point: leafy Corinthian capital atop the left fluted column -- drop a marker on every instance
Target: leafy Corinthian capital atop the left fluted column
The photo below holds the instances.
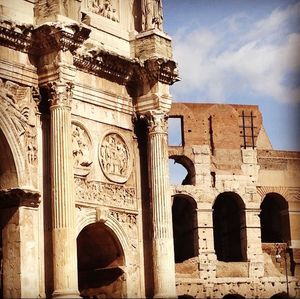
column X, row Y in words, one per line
column 60, row 93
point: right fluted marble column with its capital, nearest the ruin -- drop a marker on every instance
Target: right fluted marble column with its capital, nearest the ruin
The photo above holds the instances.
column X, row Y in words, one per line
column 163, row 247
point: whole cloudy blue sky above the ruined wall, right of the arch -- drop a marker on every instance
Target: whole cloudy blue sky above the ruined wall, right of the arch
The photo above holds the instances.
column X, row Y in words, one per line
column 240, row 52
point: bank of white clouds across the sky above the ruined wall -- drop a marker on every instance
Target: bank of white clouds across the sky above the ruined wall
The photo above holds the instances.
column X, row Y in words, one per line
column 215, row 63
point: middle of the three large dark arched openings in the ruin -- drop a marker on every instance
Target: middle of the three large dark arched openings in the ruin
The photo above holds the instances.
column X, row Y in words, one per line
column 229, row 228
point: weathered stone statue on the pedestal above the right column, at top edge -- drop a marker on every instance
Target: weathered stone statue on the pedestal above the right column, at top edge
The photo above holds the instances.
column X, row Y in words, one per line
column 152, row 14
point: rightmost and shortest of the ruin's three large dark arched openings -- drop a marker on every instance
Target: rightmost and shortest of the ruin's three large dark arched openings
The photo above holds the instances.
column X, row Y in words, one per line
column 274, row 219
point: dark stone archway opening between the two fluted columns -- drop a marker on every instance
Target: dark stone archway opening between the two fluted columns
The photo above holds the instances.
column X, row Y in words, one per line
column 100, row 263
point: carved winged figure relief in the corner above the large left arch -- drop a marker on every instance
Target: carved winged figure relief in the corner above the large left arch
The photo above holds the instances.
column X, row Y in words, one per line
column 19, row 104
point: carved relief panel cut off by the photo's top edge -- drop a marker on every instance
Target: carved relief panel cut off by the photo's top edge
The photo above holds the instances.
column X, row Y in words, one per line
column 109, row 9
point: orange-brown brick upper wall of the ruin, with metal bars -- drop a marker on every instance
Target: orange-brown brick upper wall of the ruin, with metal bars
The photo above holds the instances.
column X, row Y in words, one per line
column 221, row 126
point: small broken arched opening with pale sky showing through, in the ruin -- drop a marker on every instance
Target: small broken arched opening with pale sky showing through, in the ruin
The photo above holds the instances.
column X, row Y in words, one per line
column 182, row 170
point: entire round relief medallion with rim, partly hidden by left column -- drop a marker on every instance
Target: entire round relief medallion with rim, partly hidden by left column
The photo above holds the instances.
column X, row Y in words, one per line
column 81, row 148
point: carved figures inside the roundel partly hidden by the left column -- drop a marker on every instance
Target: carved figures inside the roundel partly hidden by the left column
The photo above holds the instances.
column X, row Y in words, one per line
column 80, row 144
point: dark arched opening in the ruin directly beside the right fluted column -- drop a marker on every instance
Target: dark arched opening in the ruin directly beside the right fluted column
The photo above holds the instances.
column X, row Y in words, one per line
column 185, row 228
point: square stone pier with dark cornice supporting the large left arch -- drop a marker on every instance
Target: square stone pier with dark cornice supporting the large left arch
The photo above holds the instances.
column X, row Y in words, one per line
column 19, row 224
